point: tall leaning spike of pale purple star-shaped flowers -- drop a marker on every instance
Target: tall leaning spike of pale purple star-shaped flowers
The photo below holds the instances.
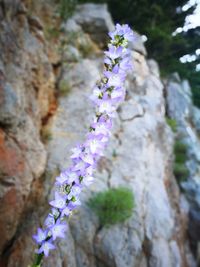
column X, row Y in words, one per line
column 107, row 95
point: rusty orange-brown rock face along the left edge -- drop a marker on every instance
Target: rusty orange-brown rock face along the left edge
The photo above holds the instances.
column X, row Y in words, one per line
column 26, row 90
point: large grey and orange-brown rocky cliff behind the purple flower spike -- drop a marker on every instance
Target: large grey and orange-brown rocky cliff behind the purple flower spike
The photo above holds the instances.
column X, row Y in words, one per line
column 47, row 71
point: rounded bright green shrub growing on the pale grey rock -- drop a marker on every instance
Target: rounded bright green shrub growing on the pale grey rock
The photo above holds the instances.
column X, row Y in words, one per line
column 113, row 206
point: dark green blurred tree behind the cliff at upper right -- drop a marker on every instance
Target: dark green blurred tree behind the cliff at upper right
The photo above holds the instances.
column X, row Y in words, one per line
column 158, row 20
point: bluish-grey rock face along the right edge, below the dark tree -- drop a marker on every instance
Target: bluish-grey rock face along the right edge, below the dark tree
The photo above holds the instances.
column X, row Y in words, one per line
column 180, row 108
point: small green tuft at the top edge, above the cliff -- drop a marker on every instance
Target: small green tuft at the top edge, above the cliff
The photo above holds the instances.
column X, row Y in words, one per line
column 66, row 8
